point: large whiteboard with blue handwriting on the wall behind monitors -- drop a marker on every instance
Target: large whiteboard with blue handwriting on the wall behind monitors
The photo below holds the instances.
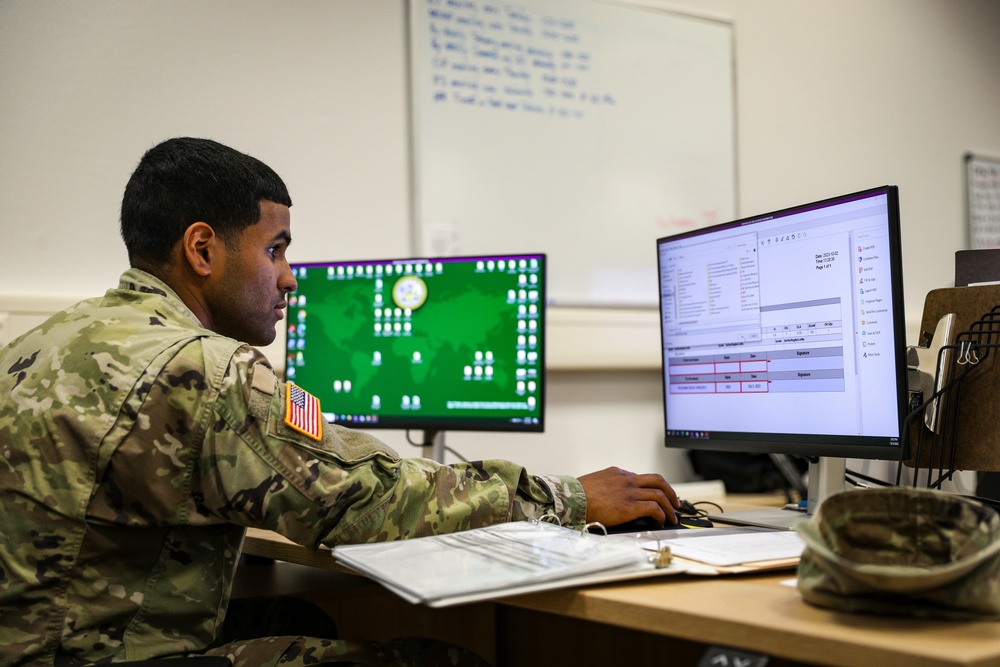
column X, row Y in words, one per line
column 577, row 128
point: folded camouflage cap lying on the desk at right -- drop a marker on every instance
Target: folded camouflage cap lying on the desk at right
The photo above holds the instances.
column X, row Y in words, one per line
column 902, row 551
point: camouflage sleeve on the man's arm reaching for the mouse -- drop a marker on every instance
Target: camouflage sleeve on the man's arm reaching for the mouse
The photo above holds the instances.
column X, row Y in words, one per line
column 338, row 486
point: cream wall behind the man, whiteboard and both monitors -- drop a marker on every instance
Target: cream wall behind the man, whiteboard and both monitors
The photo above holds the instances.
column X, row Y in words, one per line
column 831, row 98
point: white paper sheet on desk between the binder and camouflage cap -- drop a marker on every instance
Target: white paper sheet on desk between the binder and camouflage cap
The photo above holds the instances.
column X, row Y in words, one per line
column 737, row 548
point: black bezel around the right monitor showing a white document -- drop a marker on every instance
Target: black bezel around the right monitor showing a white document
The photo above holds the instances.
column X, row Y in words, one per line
column 804, row 444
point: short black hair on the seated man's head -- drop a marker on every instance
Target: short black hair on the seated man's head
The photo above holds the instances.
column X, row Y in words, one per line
column 186, row 180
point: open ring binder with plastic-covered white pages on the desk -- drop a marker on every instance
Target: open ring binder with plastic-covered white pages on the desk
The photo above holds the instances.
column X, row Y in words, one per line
column 524, row 557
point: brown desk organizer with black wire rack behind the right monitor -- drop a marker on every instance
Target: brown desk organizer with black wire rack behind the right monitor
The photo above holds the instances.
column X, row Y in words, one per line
column 957, row 425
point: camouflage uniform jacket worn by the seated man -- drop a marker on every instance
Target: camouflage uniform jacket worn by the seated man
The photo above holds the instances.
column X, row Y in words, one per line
column 136, row 446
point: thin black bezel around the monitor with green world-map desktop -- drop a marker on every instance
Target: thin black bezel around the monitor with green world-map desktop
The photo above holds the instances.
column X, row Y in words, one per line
column 434, row 424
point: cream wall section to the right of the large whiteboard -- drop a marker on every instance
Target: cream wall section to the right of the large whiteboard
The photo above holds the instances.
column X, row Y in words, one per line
column 839, row 96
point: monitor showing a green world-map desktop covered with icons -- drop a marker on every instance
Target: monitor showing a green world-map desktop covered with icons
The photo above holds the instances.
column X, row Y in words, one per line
column 452, row 343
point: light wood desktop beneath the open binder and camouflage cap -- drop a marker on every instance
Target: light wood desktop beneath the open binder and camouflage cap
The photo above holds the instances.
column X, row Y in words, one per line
column 764, row 621
